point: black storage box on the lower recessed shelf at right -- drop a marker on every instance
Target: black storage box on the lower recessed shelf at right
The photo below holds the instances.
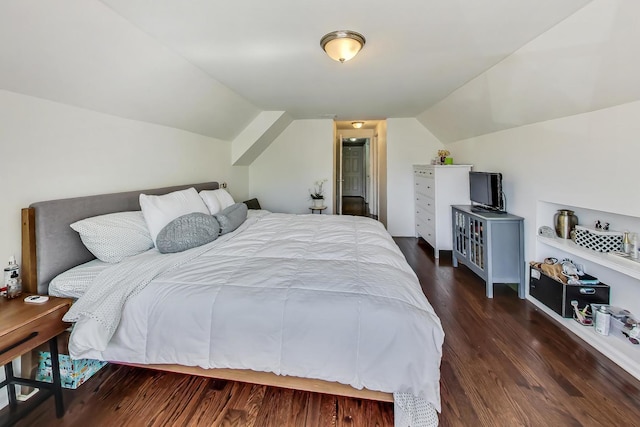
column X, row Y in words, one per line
column 558, row 296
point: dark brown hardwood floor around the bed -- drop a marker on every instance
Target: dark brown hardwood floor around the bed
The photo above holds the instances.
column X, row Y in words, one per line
column 504, row 363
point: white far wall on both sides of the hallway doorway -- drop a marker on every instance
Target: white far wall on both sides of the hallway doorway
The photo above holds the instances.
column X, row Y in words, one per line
column 281, row 177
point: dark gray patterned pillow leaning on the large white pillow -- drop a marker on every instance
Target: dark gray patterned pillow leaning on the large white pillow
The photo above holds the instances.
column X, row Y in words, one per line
column 186, row 232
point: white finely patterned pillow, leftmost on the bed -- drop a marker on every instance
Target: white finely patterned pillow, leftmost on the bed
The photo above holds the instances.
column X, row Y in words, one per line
column 113, row 237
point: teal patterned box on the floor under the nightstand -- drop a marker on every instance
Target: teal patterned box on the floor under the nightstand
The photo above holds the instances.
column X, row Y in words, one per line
column 73, row 373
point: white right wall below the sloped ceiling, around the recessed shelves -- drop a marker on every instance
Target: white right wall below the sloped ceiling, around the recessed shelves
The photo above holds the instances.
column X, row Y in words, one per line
column 589, row 160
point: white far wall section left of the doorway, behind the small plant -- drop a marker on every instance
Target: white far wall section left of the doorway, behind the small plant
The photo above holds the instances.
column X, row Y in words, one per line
column 283, row 174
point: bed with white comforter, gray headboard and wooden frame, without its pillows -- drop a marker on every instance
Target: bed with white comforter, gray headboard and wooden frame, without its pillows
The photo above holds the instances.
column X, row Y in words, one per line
column 313, row 302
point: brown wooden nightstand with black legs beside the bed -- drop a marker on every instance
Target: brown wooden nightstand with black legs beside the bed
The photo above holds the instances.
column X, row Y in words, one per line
column 23, row 327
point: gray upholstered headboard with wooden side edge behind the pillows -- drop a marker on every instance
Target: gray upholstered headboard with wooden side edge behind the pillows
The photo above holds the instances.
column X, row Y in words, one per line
column 50, row 246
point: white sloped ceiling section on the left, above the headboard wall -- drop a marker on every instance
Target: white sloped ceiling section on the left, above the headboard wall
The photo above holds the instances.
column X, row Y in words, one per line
column 86, row 54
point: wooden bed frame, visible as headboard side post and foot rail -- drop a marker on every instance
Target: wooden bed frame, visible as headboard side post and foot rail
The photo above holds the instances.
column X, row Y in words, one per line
column 30, row 285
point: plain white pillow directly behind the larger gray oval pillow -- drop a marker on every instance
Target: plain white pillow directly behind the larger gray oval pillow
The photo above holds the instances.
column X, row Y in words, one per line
column 159, row 211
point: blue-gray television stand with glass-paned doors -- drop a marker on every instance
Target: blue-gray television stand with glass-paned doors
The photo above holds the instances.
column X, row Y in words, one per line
column 491, row 244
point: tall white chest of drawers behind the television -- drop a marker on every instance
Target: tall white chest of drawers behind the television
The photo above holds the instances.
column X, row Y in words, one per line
column 436, row 188
